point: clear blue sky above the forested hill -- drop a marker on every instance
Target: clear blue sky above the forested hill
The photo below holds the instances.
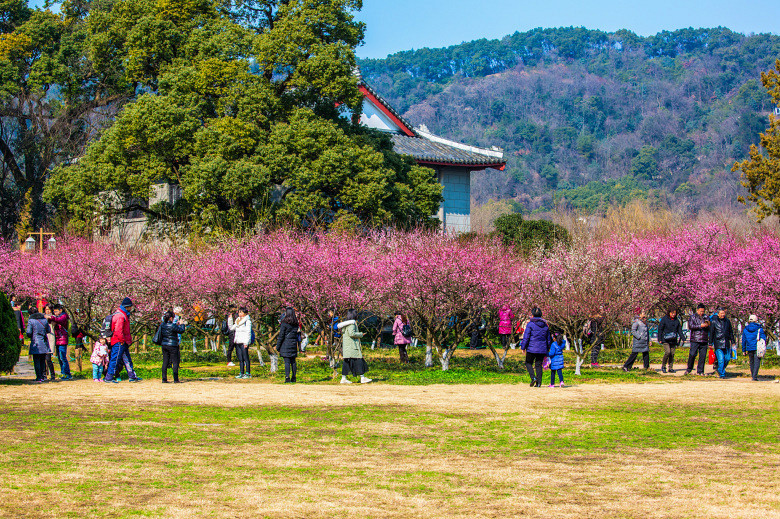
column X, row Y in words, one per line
column 394, row 25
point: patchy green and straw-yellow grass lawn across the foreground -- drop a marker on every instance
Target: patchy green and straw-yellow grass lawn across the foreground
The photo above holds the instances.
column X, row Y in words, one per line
column 225, row 448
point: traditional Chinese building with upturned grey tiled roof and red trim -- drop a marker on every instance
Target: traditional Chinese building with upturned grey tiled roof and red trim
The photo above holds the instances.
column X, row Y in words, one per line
column 452, row 161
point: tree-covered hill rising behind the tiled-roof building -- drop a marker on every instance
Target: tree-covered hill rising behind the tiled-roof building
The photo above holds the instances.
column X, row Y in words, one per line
column 589, row 117
